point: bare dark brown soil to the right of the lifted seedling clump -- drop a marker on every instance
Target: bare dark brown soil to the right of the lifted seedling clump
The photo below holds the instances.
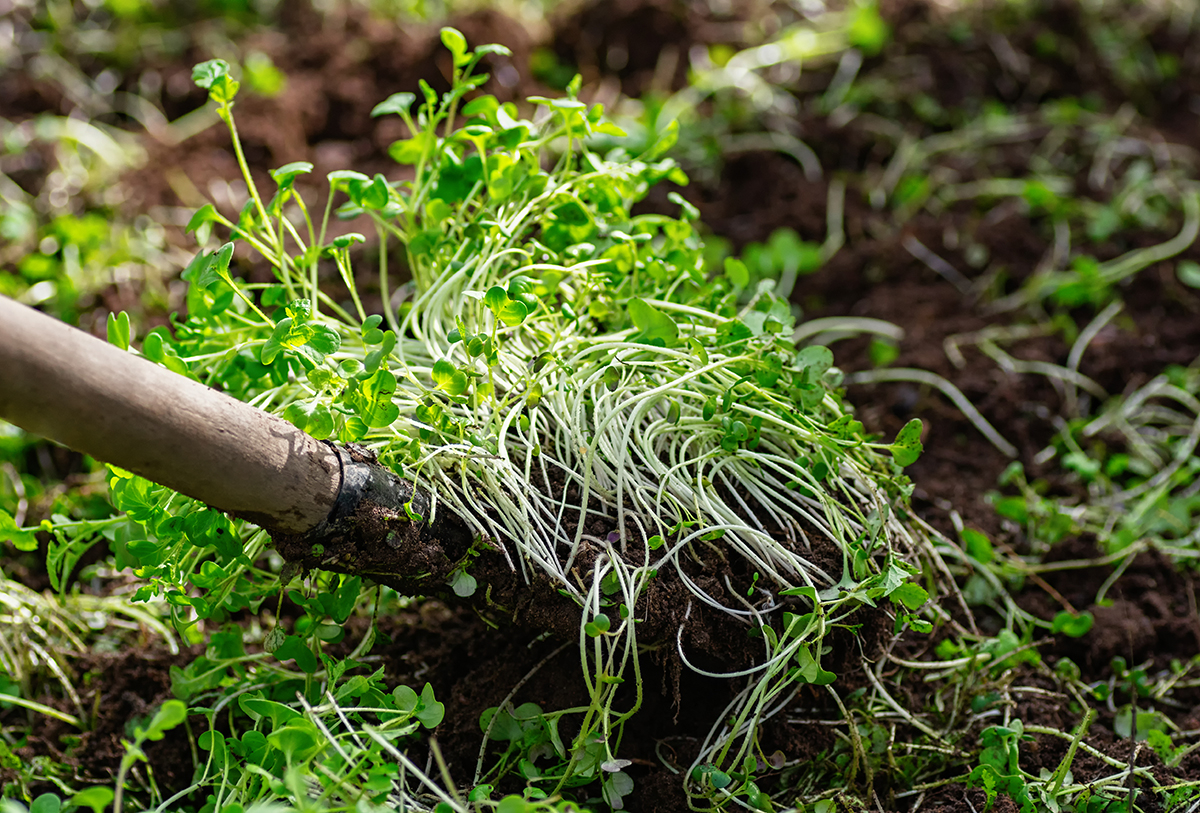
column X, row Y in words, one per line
column 1151, row 613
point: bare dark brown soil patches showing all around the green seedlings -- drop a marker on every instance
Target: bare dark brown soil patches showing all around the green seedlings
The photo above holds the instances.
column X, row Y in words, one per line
column 337, row 74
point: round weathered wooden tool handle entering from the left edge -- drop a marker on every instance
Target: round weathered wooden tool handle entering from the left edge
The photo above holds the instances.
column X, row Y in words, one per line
column 64, row 384
